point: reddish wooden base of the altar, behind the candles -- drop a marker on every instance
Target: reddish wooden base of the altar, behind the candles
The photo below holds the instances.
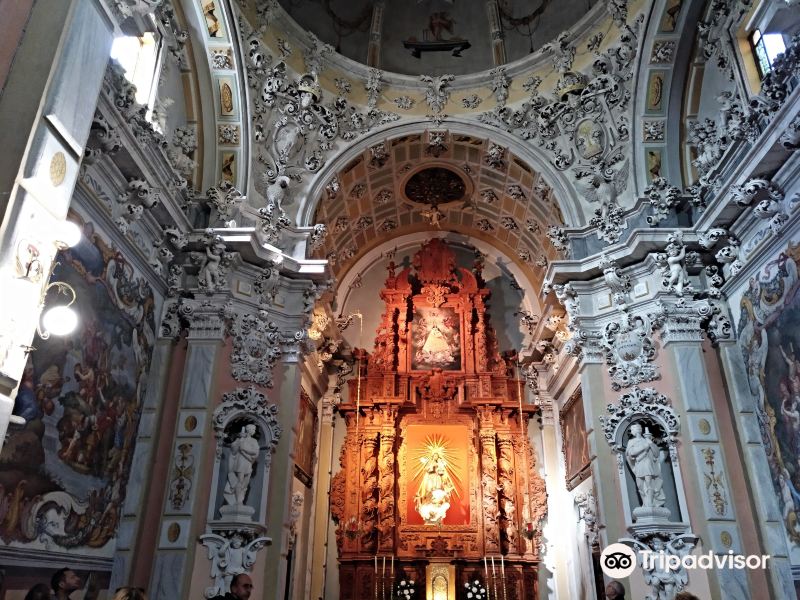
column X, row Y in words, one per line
column 359, row 580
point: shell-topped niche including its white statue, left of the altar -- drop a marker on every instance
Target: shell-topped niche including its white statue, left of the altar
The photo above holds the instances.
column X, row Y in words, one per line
column 247, row 431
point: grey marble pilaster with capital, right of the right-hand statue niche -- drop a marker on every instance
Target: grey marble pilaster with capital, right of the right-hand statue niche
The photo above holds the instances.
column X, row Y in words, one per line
column 707, row 487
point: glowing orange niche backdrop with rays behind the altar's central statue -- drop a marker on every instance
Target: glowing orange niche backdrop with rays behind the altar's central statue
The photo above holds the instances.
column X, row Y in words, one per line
column 457, row 438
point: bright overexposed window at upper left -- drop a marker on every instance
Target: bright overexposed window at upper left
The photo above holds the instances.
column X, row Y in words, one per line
column 139, row 57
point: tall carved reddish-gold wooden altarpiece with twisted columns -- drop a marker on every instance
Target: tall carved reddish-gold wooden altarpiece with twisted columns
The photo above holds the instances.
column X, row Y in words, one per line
column 435, row 465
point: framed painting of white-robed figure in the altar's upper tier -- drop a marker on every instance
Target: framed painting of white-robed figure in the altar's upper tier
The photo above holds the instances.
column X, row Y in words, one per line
column 436, row 339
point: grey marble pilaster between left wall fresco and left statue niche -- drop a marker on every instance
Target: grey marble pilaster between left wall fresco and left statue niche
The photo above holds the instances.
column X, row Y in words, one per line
column 186, row 500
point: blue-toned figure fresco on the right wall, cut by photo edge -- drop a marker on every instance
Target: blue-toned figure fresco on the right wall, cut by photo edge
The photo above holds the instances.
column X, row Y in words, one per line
column 769, row 337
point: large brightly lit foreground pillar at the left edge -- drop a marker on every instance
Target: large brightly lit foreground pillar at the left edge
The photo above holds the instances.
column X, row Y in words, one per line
column 48, row 103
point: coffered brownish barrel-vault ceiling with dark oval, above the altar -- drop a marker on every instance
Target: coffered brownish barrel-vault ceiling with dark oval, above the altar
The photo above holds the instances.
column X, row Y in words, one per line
column 438, row 181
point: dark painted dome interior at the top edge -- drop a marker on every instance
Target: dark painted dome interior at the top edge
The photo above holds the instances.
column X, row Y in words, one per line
column 436, row 36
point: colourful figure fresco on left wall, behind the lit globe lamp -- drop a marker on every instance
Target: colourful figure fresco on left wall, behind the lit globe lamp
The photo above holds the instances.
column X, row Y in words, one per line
column 63, row 476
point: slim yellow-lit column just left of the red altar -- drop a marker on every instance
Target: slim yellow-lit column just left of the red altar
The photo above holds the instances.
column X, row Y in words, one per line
column 319, row 538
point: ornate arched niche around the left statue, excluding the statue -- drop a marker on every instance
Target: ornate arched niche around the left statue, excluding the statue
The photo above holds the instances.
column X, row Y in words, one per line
column 239, row 409
